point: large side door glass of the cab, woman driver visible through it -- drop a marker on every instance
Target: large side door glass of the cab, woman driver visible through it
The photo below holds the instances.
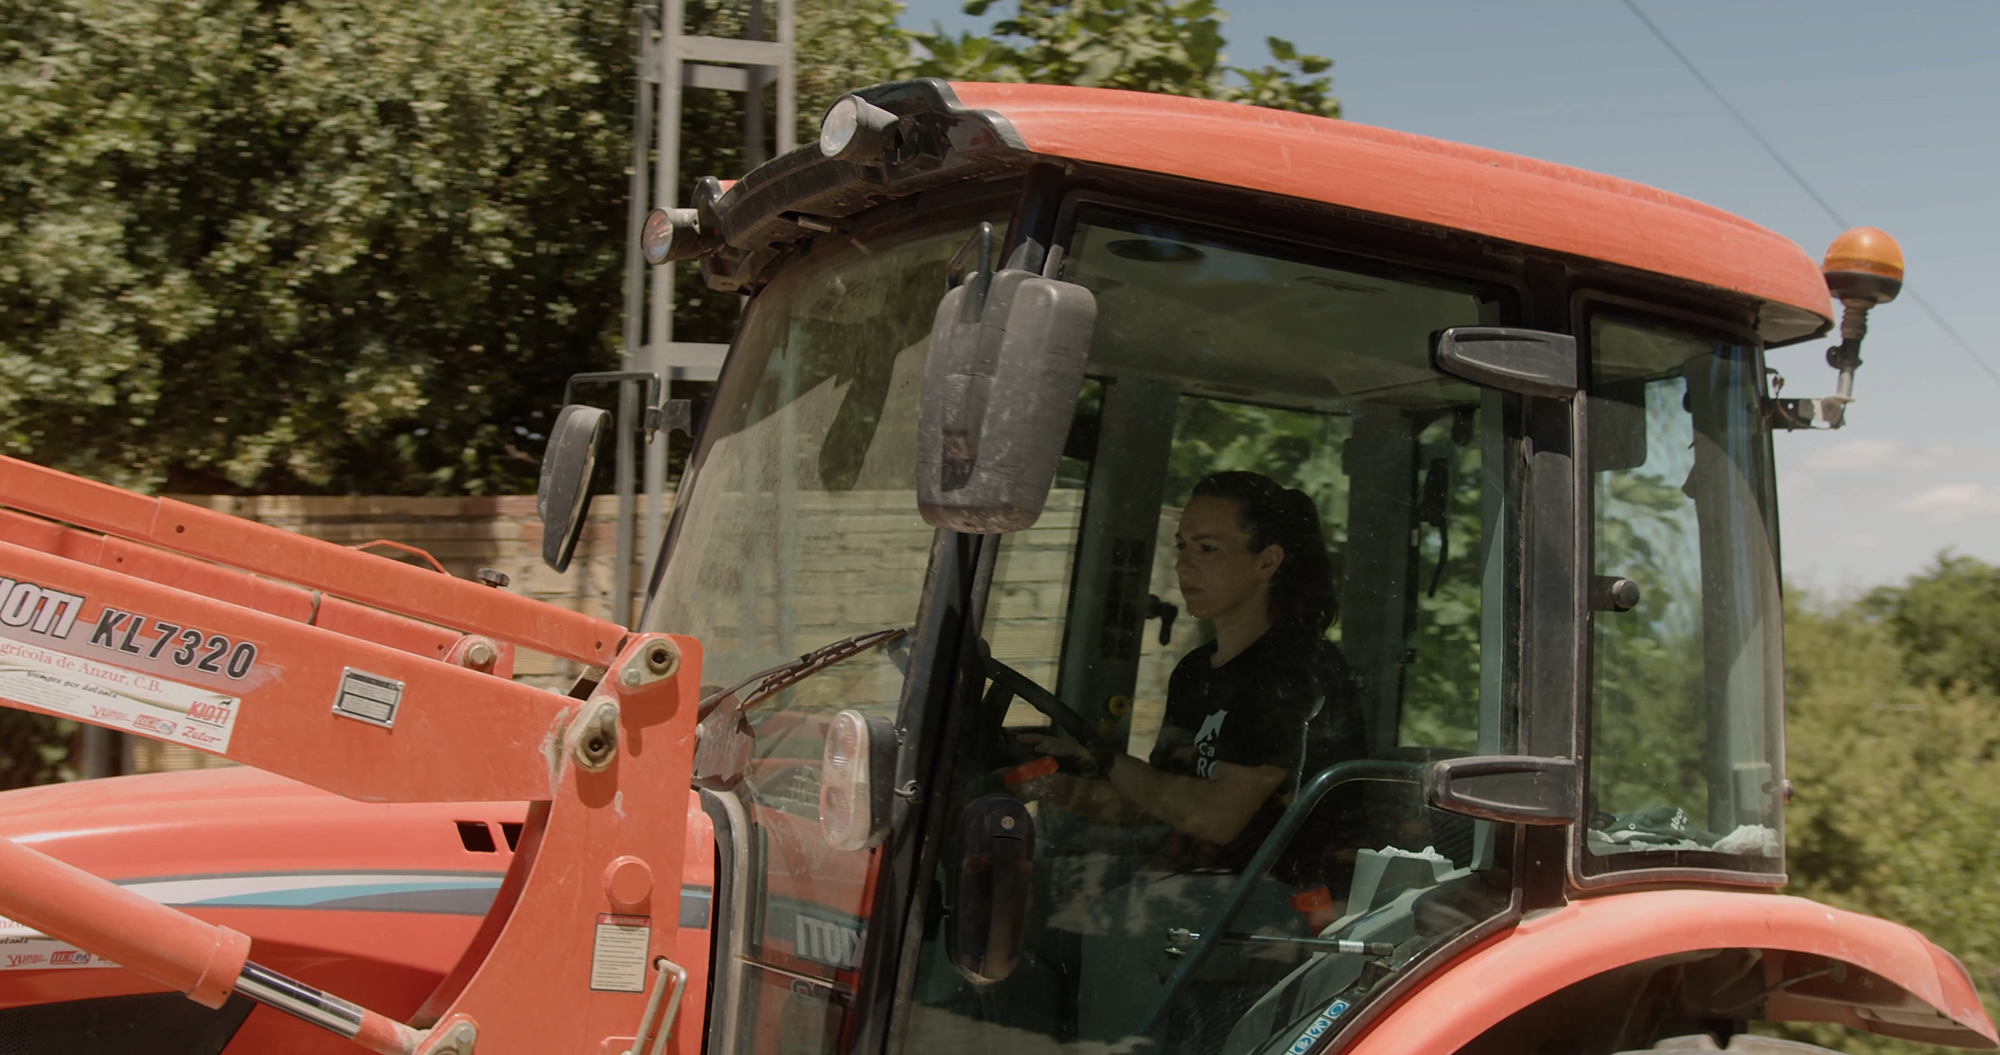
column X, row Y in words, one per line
column 1263, row 586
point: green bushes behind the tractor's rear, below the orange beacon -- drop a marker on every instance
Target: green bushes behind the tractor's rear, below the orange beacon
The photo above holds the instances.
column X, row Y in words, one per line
column 1897, row 784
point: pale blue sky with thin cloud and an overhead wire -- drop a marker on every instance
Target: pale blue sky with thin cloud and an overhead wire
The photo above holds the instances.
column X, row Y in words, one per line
column 1891, row 111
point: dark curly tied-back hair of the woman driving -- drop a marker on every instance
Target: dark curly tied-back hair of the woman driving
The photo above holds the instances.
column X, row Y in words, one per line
column 1303, row 590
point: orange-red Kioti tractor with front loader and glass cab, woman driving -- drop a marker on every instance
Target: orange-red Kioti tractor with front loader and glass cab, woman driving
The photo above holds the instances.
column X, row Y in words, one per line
column 1153, row 576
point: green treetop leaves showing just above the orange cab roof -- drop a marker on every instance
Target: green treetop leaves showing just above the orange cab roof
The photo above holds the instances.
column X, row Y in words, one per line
column 1171, row 47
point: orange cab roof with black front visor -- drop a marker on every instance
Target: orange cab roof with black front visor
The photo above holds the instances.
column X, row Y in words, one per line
column 951, row 133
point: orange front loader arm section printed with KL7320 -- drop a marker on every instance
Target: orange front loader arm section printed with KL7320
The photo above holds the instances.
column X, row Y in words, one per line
column 357, row 718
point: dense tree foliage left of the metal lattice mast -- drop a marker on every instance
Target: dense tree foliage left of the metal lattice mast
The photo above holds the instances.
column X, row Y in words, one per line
column 321, row 245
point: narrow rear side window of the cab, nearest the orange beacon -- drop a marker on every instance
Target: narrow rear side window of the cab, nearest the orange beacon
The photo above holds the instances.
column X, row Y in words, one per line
column 1685, row 704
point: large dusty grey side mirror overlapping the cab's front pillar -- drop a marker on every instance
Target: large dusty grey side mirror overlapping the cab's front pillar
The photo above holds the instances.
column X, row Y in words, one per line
column 1001, row 385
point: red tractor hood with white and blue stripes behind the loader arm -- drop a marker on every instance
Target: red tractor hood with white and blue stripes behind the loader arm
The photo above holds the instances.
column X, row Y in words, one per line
column 369, row 900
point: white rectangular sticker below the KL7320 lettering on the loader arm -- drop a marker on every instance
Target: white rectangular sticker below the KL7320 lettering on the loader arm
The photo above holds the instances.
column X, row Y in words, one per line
column 115, row 696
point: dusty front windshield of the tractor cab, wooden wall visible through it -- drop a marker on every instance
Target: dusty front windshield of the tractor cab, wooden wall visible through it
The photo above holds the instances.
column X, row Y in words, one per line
column 801, row 528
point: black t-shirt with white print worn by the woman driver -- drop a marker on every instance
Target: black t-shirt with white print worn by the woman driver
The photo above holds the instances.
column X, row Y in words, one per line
column 1255, row 710
